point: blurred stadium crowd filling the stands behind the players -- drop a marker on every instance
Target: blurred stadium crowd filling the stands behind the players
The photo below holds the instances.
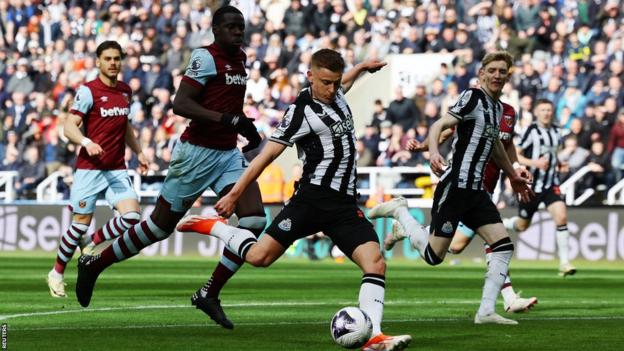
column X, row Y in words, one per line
column 570, row 52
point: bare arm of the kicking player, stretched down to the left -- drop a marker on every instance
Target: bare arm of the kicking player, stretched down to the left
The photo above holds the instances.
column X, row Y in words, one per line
column 226, row 205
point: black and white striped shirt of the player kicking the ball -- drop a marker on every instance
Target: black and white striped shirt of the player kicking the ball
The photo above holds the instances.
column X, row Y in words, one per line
column 325, row 140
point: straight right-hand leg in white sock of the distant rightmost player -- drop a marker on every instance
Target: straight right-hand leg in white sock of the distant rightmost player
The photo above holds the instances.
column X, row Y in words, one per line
column 558, row 211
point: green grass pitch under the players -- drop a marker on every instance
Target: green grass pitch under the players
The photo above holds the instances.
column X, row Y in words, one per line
column 144, row 304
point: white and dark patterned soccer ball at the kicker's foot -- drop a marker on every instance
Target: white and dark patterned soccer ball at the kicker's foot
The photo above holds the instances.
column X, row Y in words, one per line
column 351, row 327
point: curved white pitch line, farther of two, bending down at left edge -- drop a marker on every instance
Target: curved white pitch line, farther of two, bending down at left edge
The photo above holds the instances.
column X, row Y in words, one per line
column 278, row 304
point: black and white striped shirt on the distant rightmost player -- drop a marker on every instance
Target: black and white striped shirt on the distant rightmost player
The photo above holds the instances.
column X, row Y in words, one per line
column 540, row 142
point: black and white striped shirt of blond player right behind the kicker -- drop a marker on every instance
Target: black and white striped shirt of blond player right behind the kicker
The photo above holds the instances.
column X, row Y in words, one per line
column 476, row 134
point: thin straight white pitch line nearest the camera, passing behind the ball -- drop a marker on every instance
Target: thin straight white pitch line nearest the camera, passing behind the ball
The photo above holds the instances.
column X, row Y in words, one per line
column 253, row 324
